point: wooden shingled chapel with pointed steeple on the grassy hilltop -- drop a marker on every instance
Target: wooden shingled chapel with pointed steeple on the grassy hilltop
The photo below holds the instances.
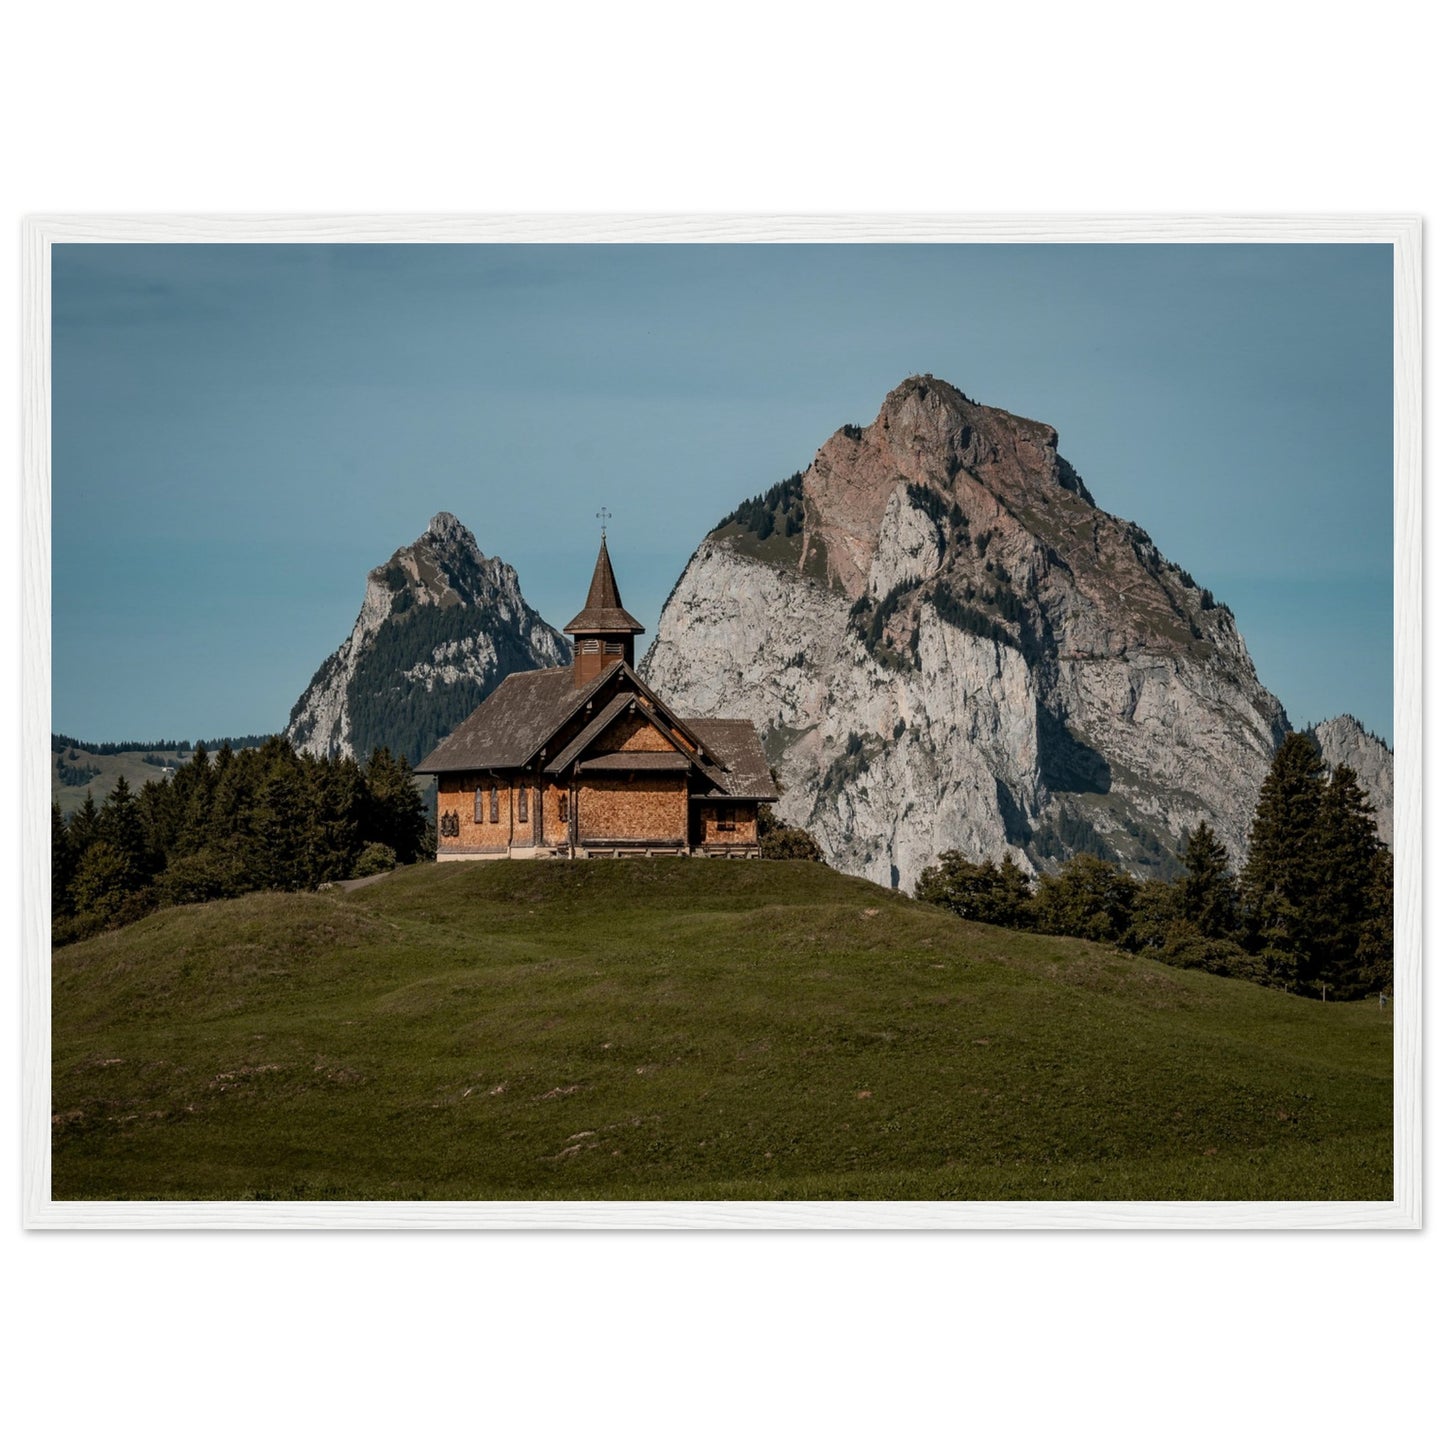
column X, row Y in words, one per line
column 587, row 761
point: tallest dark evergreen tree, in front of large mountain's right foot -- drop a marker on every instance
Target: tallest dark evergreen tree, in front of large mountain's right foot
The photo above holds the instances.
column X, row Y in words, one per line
column 1281, row 879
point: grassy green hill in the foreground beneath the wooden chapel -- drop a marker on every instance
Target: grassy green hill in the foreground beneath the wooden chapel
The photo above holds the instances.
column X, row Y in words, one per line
column 683, row 1030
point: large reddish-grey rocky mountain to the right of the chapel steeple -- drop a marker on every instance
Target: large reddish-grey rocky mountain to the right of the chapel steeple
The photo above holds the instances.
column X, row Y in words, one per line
column 947, row 645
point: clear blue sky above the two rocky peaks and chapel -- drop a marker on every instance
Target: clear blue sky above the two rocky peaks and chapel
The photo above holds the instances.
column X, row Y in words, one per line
column 242, row 431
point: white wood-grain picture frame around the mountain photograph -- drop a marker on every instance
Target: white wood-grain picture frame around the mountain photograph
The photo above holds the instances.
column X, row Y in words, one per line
column 1401, row 232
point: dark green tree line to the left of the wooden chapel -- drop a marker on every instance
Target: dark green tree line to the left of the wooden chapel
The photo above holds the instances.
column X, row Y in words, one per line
column 230, row 824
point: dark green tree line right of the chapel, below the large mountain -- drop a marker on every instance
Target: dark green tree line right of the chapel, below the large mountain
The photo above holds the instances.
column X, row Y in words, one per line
column 1311, row 911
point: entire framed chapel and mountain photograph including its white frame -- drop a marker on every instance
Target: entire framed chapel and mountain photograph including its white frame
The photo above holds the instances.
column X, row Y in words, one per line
column 963, row 795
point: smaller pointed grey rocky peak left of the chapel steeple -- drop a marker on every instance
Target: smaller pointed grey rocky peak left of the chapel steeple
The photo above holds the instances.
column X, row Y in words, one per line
column 440, row 628
